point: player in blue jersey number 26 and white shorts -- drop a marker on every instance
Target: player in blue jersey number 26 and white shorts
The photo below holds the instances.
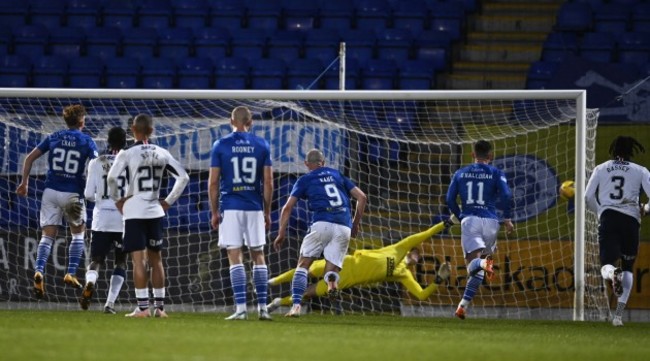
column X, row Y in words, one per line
column 69, row 150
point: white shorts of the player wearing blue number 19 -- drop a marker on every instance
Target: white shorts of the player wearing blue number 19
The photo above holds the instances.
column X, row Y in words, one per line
column 239, row 228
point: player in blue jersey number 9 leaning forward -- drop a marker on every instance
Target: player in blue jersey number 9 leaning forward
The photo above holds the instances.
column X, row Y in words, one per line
column 328, row 194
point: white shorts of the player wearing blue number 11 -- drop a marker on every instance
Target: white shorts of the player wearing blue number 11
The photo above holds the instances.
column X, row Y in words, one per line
column 477, row 233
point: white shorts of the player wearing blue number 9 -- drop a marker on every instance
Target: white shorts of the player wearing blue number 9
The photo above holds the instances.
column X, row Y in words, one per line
column 328, row 239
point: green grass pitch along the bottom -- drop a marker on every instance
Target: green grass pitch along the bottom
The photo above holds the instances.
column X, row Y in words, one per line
column 77, row 335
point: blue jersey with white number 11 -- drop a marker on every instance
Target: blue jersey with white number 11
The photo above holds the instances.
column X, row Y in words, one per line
column 479, row 185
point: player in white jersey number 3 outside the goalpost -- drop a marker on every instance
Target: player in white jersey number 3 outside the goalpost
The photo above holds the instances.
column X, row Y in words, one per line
column 613, row 192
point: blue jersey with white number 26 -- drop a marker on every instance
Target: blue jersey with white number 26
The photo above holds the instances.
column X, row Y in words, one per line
column 69, row 151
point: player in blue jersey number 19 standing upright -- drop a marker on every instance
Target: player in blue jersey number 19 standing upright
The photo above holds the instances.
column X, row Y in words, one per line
column 240, row 187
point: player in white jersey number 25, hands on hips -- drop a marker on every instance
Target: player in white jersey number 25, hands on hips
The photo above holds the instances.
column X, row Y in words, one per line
column 143, row 211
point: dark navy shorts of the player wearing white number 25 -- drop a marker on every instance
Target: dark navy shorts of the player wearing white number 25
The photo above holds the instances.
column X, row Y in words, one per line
column 143, row 233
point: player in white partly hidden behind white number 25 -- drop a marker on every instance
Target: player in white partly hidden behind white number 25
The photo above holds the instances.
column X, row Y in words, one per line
column 107, row 226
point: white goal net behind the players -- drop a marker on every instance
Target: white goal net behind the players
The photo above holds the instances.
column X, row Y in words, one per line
column 401, row 148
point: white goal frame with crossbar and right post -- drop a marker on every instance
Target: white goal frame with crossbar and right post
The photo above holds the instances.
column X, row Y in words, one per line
column 579, row 96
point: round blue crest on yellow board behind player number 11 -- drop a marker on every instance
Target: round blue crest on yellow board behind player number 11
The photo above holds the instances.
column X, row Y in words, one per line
column 533, row 183
